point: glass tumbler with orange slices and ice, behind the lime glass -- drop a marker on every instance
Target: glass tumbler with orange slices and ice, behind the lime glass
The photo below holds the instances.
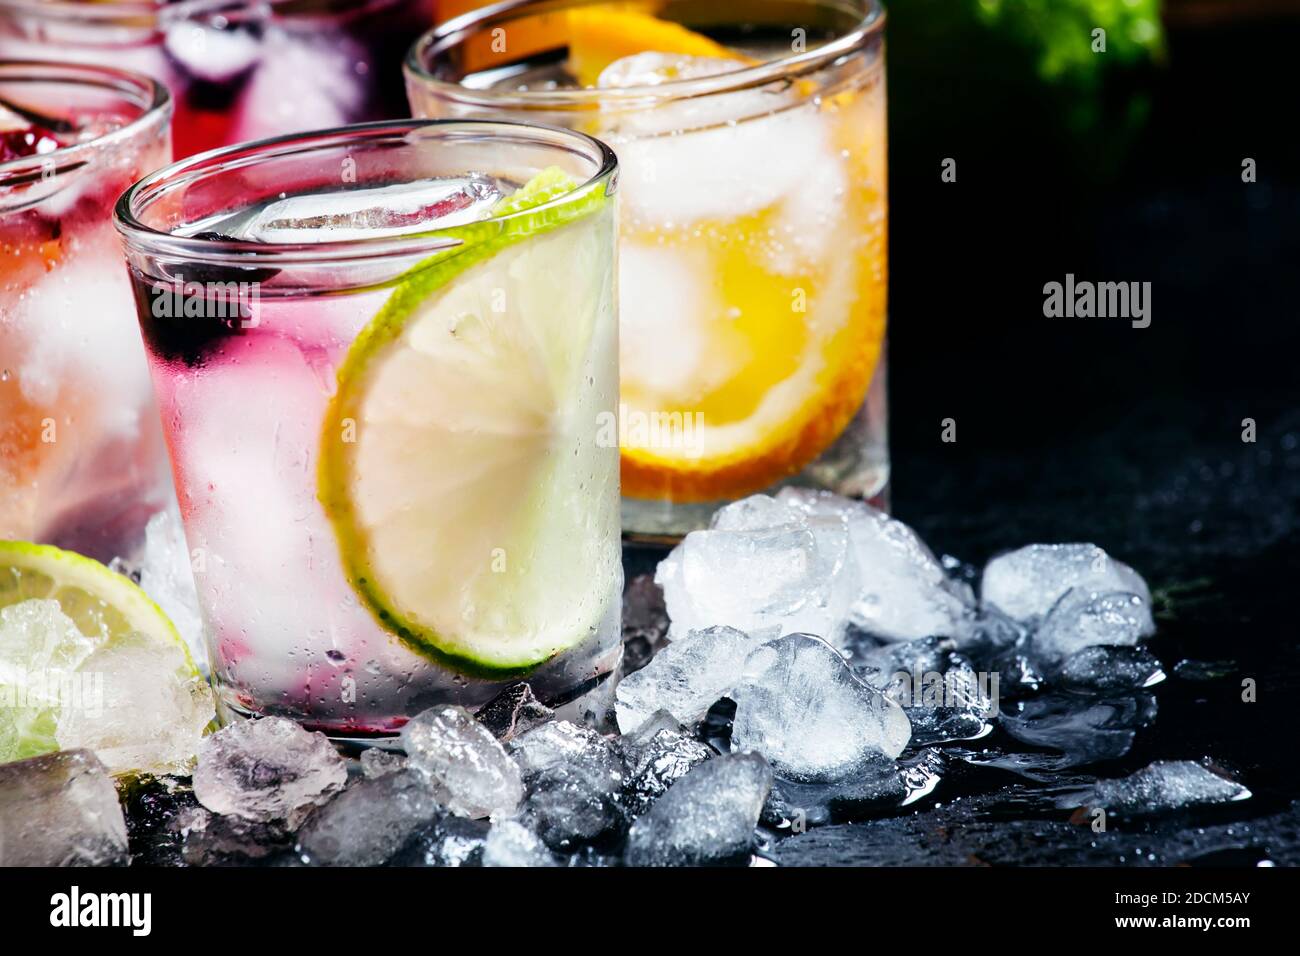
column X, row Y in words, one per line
column 753, row 248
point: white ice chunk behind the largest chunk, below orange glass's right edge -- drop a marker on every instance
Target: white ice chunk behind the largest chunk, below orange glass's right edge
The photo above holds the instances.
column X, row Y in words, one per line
column 904, row 592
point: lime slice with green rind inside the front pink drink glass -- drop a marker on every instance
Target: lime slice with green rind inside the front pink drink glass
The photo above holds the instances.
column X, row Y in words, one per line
column 460, row 461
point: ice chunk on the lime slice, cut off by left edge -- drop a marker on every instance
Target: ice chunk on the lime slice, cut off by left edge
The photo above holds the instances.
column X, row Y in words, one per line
column 40, row 650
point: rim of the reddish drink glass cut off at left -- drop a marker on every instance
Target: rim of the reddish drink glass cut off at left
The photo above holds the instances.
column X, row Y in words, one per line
column 154, row 98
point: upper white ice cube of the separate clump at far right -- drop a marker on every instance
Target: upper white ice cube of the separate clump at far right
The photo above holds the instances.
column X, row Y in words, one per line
column 1026, row 583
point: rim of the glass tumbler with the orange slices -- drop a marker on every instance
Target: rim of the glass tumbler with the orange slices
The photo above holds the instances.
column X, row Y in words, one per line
column 443, row 38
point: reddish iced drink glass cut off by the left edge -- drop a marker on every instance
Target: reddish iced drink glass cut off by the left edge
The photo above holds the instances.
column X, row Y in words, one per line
column 83, row 462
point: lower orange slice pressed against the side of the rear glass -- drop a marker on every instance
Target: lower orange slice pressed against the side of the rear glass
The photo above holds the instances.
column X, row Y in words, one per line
column 761, row 388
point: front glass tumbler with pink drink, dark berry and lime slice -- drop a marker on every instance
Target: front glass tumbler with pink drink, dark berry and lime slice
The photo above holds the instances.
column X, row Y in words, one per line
column 385, row 357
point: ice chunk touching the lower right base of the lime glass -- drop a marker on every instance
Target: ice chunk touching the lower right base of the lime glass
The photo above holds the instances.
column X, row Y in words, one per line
column 686, row 678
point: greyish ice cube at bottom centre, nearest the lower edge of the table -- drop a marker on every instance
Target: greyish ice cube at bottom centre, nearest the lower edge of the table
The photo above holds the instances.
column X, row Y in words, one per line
column 707, row 819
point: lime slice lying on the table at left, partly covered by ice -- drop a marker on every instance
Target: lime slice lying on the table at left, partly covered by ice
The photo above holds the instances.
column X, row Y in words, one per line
column 59, row 611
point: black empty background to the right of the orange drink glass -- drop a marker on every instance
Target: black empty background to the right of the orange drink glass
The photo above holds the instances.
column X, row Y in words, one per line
column 1090, row 430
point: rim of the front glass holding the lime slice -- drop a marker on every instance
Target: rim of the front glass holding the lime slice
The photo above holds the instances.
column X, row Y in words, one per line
column 141, row 237
